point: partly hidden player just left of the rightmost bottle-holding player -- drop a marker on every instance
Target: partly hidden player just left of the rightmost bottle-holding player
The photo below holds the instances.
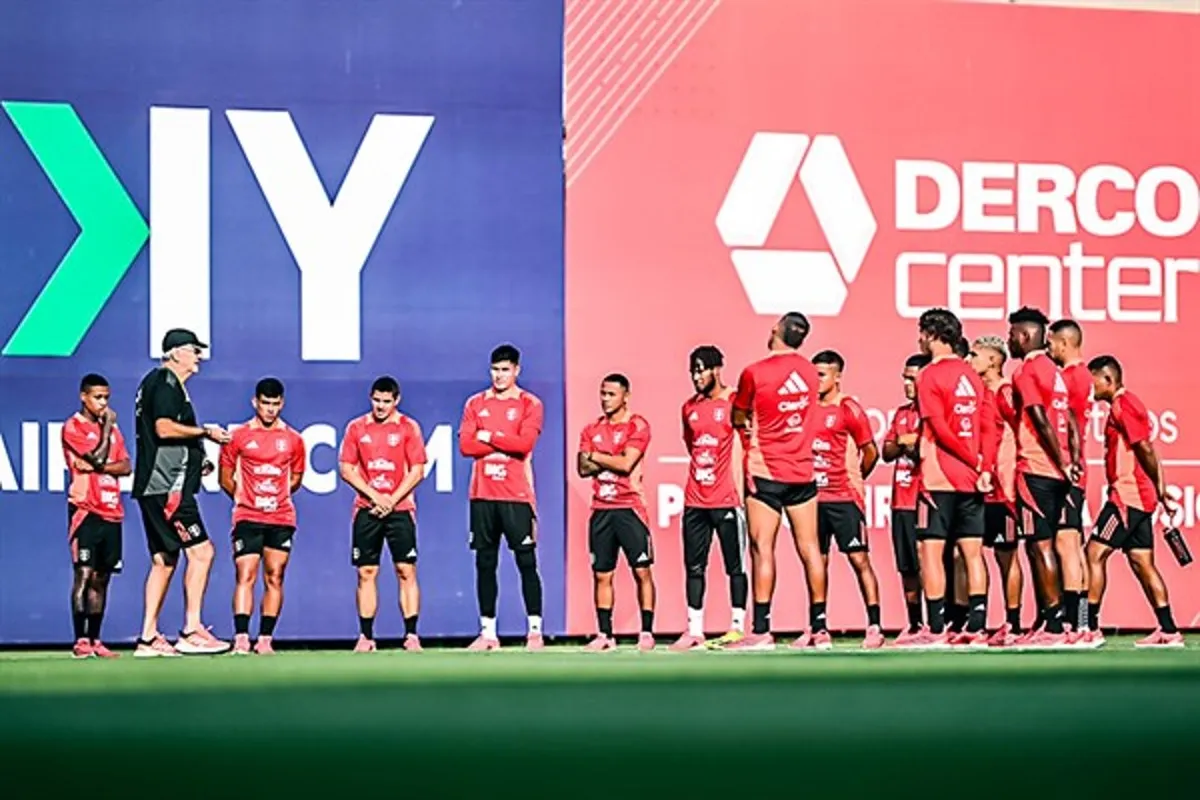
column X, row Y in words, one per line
column 1066, row 348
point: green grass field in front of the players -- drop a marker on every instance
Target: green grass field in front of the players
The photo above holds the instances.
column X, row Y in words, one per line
column 563, row 724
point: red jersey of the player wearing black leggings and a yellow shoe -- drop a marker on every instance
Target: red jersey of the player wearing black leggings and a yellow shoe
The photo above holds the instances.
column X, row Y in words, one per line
column 709, row 436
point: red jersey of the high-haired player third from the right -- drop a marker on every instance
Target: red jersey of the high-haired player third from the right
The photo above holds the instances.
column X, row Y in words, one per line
column 1039, row 382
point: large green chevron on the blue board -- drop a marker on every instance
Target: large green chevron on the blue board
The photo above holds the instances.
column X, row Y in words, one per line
column 112, row 231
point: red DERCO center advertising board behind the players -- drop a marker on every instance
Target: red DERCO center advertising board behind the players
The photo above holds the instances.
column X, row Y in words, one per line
column 861, row 163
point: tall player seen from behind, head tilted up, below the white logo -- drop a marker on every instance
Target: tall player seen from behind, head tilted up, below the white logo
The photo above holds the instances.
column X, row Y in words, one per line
column 776, row 404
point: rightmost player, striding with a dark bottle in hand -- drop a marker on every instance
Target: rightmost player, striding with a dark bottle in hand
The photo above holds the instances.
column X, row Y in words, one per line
column 1137, row 489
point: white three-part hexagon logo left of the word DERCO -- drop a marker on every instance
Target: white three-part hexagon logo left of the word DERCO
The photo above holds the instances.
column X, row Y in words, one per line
column 779, row 281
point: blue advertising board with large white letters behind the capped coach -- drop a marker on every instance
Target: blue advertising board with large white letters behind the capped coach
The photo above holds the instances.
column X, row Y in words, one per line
column 326, row 193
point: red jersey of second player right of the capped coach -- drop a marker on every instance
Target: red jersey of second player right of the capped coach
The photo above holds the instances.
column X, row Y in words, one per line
column 383, row 454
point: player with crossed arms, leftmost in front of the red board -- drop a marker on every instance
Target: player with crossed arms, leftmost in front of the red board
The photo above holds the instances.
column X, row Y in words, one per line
column 611, row 453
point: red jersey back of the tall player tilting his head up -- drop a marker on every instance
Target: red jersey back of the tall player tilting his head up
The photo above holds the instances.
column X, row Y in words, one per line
column 779, row 393
